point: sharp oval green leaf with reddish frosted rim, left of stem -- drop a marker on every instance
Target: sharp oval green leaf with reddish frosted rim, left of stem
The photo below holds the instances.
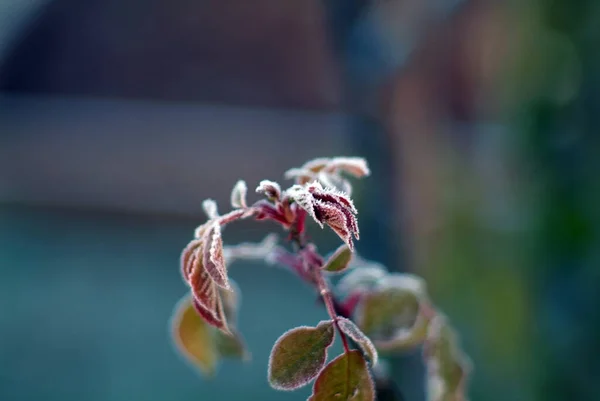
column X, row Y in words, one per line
column 299, row 355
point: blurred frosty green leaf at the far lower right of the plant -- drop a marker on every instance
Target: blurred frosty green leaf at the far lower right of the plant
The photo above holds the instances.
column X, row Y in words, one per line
column 447, row 366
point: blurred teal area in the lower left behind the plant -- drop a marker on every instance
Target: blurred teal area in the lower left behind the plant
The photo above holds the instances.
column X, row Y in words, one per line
column 86, row 300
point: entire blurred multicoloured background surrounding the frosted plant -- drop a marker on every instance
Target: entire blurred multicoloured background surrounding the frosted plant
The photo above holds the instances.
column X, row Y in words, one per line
column 479, row 118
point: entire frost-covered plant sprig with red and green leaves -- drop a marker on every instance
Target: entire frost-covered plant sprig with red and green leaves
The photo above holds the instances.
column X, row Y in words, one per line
column 373, row 311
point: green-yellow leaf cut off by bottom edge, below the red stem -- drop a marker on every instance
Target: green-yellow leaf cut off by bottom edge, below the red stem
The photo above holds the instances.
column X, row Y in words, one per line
column 346, row 378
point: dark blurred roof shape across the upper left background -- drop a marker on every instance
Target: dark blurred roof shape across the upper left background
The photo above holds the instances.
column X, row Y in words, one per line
column 259, row 52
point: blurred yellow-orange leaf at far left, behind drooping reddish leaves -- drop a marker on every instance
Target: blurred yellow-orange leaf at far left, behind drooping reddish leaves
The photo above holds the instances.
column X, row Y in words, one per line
column 193, row 337
